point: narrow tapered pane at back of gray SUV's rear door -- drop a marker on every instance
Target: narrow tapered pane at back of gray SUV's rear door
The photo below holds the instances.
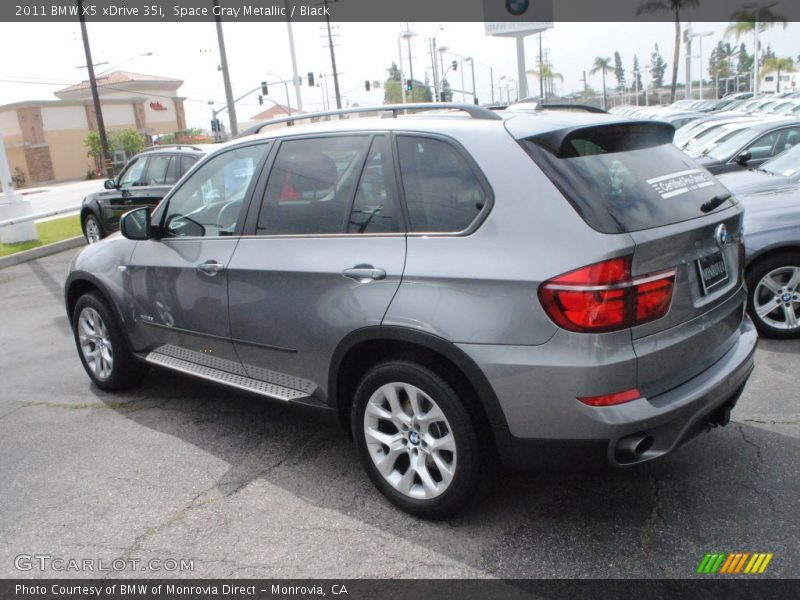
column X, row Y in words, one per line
column 375, row 208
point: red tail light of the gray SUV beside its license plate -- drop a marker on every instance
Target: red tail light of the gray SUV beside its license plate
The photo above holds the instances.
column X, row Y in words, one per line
column 605, row 297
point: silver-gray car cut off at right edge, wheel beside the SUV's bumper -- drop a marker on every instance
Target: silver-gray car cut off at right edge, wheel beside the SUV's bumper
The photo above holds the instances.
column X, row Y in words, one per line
column 772, row 240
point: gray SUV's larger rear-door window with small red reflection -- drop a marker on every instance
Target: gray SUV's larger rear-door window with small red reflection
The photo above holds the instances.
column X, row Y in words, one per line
column 311, row 185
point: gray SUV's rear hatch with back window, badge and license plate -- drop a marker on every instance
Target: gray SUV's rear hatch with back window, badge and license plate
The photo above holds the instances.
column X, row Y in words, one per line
column 628, row 178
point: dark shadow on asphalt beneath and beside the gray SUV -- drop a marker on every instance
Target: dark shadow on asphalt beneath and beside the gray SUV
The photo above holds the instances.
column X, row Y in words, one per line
column 734, row 489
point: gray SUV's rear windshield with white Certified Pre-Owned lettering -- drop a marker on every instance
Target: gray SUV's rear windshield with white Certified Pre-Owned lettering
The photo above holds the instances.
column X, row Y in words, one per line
column 616, row 189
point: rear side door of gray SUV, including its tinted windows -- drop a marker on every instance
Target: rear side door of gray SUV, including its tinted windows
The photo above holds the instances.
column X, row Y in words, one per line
column 323, row 256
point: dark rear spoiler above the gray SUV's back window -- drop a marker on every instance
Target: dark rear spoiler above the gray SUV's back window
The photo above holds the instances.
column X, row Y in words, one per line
column 612, row 137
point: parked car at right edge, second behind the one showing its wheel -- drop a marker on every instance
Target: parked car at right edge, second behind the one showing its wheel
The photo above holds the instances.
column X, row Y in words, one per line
column 752, row 146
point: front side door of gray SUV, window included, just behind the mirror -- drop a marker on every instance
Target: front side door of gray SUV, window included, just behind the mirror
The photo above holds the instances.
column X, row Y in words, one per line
column 178, row 279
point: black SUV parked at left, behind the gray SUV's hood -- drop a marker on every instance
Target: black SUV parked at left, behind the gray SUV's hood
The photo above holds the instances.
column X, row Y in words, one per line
column 144, row 181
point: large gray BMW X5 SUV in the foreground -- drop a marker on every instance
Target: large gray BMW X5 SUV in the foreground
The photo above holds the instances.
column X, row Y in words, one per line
column 456, row 286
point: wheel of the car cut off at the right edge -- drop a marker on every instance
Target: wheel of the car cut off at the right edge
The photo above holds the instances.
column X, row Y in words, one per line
column 775, row 283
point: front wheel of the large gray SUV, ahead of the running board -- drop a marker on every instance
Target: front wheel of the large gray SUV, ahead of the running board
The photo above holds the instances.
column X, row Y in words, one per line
column 102, row 347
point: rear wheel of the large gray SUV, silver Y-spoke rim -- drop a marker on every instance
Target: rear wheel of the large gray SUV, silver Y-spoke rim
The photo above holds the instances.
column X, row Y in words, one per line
column 413, row 473
